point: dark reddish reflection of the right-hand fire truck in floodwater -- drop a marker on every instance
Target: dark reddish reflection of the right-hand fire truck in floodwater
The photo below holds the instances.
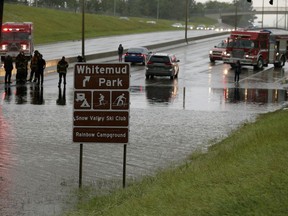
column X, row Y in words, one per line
column 259, row 96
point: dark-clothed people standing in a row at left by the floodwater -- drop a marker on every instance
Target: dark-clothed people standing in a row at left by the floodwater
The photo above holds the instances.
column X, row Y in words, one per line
column 37, row 67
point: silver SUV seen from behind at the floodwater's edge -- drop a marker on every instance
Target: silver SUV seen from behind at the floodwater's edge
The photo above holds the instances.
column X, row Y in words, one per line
column 162, row 64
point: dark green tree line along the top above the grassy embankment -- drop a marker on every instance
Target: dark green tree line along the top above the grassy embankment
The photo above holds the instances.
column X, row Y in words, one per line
column 162, row 9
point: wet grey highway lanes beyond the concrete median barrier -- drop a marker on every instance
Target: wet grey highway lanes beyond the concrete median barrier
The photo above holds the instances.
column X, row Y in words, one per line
column 71, row 49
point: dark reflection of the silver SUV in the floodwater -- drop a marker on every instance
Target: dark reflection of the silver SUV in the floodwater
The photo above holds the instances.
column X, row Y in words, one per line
column 161, row 90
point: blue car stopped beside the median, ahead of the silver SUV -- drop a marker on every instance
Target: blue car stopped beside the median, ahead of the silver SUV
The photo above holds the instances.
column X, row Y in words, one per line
column 137, row 55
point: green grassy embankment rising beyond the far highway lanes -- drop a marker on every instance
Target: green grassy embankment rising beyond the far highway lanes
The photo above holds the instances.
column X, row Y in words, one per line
column 55, row 25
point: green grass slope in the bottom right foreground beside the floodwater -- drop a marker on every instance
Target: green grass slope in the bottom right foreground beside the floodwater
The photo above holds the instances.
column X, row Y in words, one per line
column 245, row 174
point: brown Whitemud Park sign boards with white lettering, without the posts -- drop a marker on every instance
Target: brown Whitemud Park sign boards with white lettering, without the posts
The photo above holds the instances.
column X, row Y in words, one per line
column 101, row 103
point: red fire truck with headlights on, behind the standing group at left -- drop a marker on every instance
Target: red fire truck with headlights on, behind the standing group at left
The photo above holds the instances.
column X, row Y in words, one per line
column 16, row 37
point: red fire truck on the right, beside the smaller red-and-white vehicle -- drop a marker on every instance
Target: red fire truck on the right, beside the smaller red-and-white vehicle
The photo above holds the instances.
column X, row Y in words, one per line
column 257, row 48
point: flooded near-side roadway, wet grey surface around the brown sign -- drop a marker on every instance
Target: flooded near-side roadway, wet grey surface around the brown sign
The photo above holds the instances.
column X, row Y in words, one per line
column 39, row 162
